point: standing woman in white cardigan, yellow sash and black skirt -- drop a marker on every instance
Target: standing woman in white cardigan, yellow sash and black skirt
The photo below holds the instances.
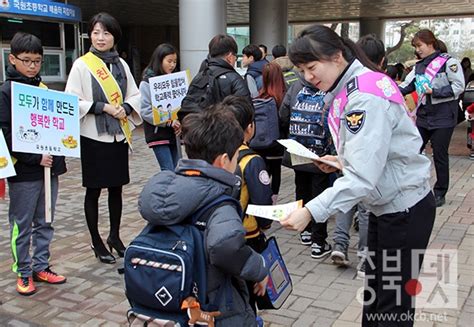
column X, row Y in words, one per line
column 104, row 148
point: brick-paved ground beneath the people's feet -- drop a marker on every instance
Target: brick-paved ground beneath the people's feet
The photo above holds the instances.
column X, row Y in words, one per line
column 323, row 295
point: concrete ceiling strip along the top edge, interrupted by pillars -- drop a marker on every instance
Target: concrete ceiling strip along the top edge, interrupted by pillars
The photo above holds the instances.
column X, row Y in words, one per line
column 165, row 12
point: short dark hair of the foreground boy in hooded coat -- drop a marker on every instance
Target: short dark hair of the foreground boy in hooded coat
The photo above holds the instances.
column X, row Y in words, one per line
column 210, row 133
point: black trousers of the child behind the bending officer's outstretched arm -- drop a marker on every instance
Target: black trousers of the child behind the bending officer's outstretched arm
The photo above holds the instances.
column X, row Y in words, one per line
column 308, row 186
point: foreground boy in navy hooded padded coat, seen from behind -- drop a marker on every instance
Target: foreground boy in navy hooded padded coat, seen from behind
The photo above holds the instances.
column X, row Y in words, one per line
column 212, row 140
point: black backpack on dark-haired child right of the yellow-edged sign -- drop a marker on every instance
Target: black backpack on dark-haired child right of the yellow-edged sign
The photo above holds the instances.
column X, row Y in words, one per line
column 203, row 91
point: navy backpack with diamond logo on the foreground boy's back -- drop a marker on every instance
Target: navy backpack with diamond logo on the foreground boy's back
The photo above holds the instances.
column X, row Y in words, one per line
column 164, row 265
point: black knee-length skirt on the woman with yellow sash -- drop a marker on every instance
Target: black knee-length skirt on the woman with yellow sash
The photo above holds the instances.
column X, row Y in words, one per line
column 104, row 164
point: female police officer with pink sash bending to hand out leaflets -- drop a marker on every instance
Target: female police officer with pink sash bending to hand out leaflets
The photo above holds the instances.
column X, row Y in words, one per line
column 377, row 145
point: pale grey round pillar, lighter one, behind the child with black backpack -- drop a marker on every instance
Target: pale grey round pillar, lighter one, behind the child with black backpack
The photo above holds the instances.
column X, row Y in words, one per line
column 199, row 21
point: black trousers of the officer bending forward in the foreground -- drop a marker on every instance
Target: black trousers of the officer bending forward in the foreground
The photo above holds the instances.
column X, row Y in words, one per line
column 392, row 237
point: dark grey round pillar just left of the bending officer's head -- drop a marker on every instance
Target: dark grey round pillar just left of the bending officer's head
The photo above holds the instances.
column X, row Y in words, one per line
column 269, row 22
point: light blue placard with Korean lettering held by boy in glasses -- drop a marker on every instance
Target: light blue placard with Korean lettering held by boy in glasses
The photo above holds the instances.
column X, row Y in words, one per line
column 45, row 121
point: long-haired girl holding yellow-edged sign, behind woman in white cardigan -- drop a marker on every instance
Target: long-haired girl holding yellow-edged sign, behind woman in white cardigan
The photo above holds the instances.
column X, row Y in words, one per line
column 160, row 138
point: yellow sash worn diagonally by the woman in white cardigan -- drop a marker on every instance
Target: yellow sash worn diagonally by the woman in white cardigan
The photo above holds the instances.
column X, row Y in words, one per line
column 110, row 87
